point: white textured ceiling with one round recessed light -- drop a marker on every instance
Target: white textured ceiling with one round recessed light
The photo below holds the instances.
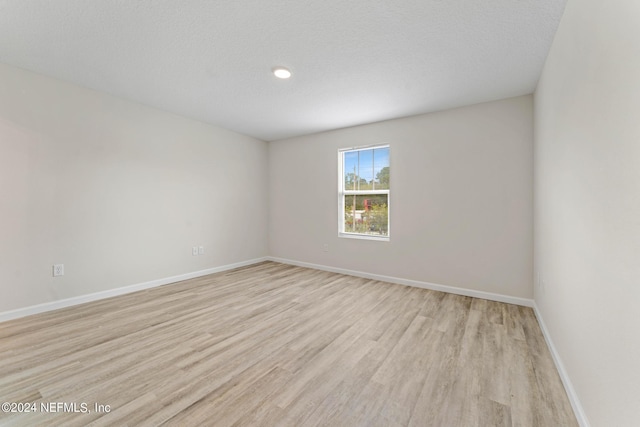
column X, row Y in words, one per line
column 353, row 61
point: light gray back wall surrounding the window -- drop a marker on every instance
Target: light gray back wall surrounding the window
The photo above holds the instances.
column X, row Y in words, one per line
column 461, row 198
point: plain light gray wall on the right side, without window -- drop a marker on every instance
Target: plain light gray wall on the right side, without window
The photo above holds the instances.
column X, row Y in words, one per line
column 587, row 205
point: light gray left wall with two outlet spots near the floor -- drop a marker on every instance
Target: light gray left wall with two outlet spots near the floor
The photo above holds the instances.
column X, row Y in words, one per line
column 117, row 192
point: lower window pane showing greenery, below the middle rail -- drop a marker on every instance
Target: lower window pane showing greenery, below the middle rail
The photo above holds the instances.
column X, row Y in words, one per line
column 367, row 214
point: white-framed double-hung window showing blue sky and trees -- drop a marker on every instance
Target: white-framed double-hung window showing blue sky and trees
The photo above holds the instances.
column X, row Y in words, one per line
column 363, row 192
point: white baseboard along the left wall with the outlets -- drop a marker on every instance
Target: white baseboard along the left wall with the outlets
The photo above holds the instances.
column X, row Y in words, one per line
column 81, row 299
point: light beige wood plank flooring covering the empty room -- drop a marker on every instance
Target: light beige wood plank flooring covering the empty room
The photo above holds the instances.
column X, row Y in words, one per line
column 278, row 345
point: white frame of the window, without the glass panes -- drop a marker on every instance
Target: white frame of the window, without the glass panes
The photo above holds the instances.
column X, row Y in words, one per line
column 342, row 192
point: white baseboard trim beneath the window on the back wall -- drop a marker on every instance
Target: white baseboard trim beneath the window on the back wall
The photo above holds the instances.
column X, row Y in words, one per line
column 414, row 283
